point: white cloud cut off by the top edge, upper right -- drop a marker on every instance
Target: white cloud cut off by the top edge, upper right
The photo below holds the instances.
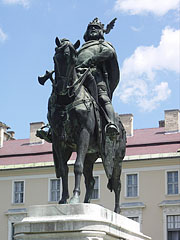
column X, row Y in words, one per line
column 157, row 7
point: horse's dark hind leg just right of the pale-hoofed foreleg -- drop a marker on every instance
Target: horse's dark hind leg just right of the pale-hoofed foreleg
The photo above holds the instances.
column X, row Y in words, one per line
column 88, row 175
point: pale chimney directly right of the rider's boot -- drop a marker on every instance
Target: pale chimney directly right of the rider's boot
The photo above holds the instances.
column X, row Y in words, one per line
column 127, row 121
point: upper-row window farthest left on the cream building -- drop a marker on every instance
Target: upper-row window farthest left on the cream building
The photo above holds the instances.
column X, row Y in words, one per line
column 18, row 192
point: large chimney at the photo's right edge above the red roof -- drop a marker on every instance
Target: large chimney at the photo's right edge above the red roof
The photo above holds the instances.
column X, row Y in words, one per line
column 172, row 123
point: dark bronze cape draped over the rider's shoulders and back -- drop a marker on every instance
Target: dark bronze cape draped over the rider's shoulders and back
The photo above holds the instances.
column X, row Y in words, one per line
column 111, row 65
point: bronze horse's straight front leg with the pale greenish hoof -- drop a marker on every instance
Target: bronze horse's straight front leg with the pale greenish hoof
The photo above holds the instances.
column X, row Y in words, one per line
column 82, row 148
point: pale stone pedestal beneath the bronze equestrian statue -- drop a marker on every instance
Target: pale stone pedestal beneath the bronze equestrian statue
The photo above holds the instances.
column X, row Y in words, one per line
column 76, row 222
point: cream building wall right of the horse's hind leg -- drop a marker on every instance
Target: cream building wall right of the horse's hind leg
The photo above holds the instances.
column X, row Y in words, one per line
column 152, row 191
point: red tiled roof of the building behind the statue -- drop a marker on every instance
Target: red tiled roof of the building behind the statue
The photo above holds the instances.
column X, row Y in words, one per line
column 144, row 141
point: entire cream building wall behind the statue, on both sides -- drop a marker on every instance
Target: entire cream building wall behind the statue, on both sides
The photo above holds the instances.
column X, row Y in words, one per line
column 151, row 190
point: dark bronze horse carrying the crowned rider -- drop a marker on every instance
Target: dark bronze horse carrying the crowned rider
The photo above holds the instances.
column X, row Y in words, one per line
column 72, row 115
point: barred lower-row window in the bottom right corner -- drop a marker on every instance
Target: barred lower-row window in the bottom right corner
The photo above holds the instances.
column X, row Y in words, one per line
column 173, row 227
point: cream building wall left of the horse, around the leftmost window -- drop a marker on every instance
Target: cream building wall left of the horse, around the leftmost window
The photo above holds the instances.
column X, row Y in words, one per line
column 36, row 192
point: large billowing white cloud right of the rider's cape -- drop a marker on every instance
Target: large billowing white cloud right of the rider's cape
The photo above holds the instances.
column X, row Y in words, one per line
column 139, row 71
